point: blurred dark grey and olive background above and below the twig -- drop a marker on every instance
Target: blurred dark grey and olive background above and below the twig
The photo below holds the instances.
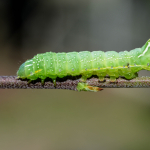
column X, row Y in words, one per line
column 60, row 119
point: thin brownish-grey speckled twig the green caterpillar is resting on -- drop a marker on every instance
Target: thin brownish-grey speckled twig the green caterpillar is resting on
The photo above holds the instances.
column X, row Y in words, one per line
column 11, row 82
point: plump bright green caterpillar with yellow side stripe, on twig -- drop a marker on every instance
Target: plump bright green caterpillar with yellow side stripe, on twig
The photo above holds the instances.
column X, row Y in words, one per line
column 87, row 63
